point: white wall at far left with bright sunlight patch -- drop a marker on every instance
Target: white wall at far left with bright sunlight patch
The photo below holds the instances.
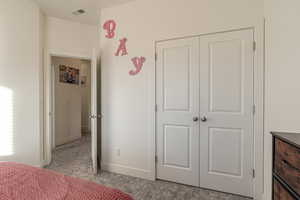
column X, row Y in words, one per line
column 20, row 68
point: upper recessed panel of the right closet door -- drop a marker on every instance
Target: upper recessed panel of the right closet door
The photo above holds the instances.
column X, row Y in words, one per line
column 226, row 76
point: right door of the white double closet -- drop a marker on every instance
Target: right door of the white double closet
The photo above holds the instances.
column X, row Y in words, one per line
column 226, row 107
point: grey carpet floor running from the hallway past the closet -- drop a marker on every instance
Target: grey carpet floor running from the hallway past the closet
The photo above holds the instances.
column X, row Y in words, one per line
column 74, row 160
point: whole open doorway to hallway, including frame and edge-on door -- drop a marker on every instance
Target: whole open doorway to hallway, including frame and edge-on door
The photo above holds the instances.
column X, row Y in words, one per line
column 71, row 93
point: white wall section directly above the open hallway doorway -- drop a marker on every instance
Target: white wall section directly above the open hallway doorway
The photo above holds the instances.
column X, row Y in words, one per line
column 70, row 38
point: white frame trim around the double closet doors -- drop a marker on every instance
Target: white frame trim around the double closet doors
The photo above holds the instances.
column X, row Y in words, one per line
column 258, row 99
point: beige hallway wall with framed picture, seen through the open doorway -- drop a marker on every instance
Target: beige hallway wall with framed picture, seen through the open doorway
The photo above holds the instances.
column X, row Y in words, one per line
column 71, row 100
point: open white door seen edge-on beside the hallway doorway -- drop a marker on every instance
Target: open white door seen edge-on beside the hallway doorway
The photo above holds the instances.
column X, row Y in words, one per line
column 94, row 112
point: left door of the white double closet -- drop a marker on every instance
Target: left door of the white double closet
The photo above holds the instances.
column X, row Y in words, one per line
column 178, row 111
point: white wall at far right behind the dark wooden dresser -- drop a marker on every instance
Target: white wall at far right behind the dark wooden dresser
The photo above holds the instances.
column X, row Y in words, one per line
column 282, row 74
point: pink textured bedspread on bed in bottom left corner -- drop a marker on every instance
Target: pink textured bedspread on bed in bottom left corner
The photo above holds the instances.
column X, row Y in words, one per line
column 28, row 183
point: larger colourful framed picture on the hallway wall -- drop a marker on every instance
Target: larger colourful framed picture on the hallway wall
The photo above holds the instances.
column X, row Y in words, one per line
column 68, row 75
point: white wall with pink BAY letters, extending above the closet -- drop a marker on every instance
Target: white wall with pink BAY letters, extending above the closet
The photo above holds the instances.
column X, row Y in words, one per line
column 128, row 101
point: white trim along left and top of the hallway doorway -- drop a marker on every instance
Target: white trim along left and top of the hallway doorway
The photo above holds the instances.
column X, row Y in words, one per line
column 49, row 99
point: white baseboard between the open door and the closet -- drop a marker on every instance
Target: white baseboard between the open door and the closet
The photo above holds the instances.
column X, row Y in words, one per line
column 126, row 170
